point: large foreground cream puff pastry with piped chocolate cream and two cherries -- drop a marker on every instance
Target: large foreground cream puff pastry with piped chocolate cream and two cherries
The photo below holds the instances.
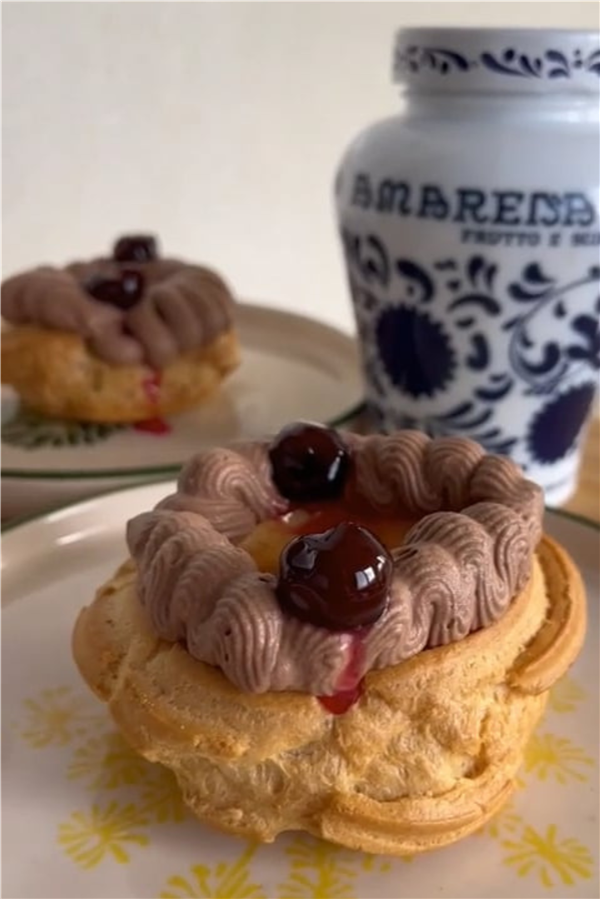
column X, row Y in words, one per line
column 352, row 636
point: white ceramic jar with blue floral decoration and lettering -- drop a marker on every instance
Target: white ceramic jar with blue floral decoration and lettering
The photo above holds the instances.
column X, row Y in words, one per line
column 471, row 235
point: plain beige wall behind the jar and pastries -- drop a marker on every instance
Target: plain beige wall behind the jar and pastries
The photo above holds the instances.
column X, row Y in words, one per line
column 217, row 125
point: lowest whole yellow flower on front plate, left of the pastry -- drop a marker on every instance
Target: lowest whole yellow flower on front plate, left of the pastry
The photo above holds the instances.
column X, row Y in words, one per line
column 89, row 837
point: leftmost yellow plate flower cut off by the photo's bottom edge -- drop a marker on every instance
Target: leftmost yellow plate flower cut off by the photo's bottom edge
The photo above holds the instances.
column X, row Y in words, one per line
column 232, row 880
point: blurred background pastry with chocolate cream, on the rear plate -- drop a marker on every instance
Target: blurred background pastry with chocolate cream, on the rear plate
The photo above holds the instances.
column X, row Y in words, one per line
column 123, row 338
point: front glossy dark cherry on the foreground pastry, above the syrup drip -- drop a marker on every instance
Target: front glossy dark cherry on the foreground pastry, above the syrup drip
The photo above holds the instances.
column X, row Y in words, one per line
column 339, row 579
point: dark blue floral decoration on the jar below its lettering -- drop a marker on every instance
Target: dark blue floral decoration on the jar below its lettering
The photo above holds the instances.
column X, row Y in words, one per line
column 424, row 325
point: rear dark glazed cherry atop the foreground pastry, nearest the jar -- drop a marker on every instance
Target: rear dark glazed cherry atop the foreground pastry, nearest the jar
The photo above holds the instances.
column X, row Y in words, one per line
column 309, row 462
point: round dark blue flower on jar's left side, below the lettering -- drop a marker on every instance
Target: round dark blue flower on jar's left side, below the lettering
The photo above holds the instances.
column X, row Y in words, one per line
column 415, row 351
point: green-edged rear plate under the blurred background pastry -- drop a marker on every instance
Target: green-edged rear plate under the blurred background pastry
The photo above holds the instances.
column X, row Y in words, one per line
column 293, row 368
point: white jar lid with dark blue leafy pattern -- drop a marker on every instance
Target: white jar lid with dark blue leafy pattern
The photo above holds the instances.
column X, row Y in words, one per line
column 511, row 60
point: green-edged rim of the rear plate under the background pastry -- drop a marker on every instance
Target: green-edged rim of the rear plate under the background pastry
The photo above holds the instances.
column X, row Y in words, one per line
column 157, row 471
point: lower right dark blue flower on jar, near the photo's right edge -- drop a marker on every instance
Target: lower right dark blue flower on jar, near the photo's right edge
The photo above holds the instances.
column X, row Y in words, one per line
column 553, row 431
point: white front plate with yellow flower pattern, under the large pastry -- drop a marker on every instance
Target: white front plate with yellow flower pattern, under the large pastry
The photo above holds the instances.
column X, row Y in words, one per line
column 86, row 819
